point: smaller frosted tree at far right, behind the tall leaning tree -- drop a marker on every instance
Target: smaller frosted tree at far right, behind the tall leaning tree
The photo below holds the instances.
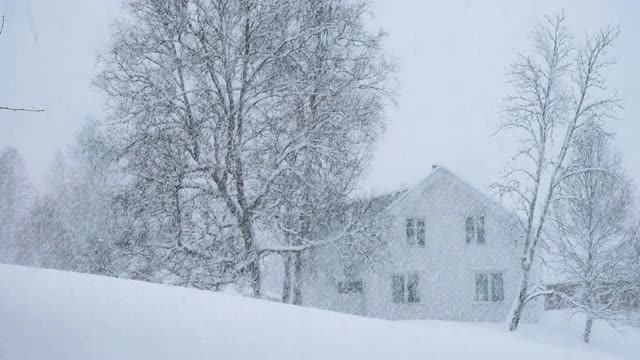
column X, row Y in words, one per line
column 592, row 223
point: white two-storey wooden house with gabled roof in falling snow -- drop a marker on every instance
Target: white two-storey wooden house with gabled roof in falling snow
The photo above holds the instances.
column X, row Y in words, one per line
column 453, row 255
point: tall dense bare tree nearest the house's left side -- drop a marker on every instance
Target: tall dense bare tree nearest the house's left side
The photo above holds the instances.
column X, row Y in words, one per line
column 334, row 117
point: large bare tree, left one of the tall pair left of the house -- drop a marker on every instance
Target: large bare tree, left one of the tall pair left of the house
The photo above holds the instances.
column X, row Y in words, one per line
column 188, row 77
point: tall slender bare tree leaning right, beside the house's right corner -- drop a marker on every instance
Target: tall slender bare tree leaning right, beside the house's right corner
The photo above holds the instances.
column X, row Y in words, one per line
column 558, row 90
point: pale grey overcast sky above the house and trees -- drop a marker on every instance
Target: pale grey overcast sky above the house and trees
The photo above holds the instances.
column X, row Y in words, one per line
column 452, row 56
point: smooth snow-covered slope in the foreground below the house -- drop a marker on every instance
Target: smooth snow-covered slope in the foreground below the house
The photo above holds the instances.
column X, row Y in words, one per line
column 47, row 314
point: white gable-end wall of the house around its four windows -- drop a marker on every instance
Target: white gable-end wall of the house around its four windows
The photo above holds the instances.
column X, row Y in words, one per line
column 446, row 264
